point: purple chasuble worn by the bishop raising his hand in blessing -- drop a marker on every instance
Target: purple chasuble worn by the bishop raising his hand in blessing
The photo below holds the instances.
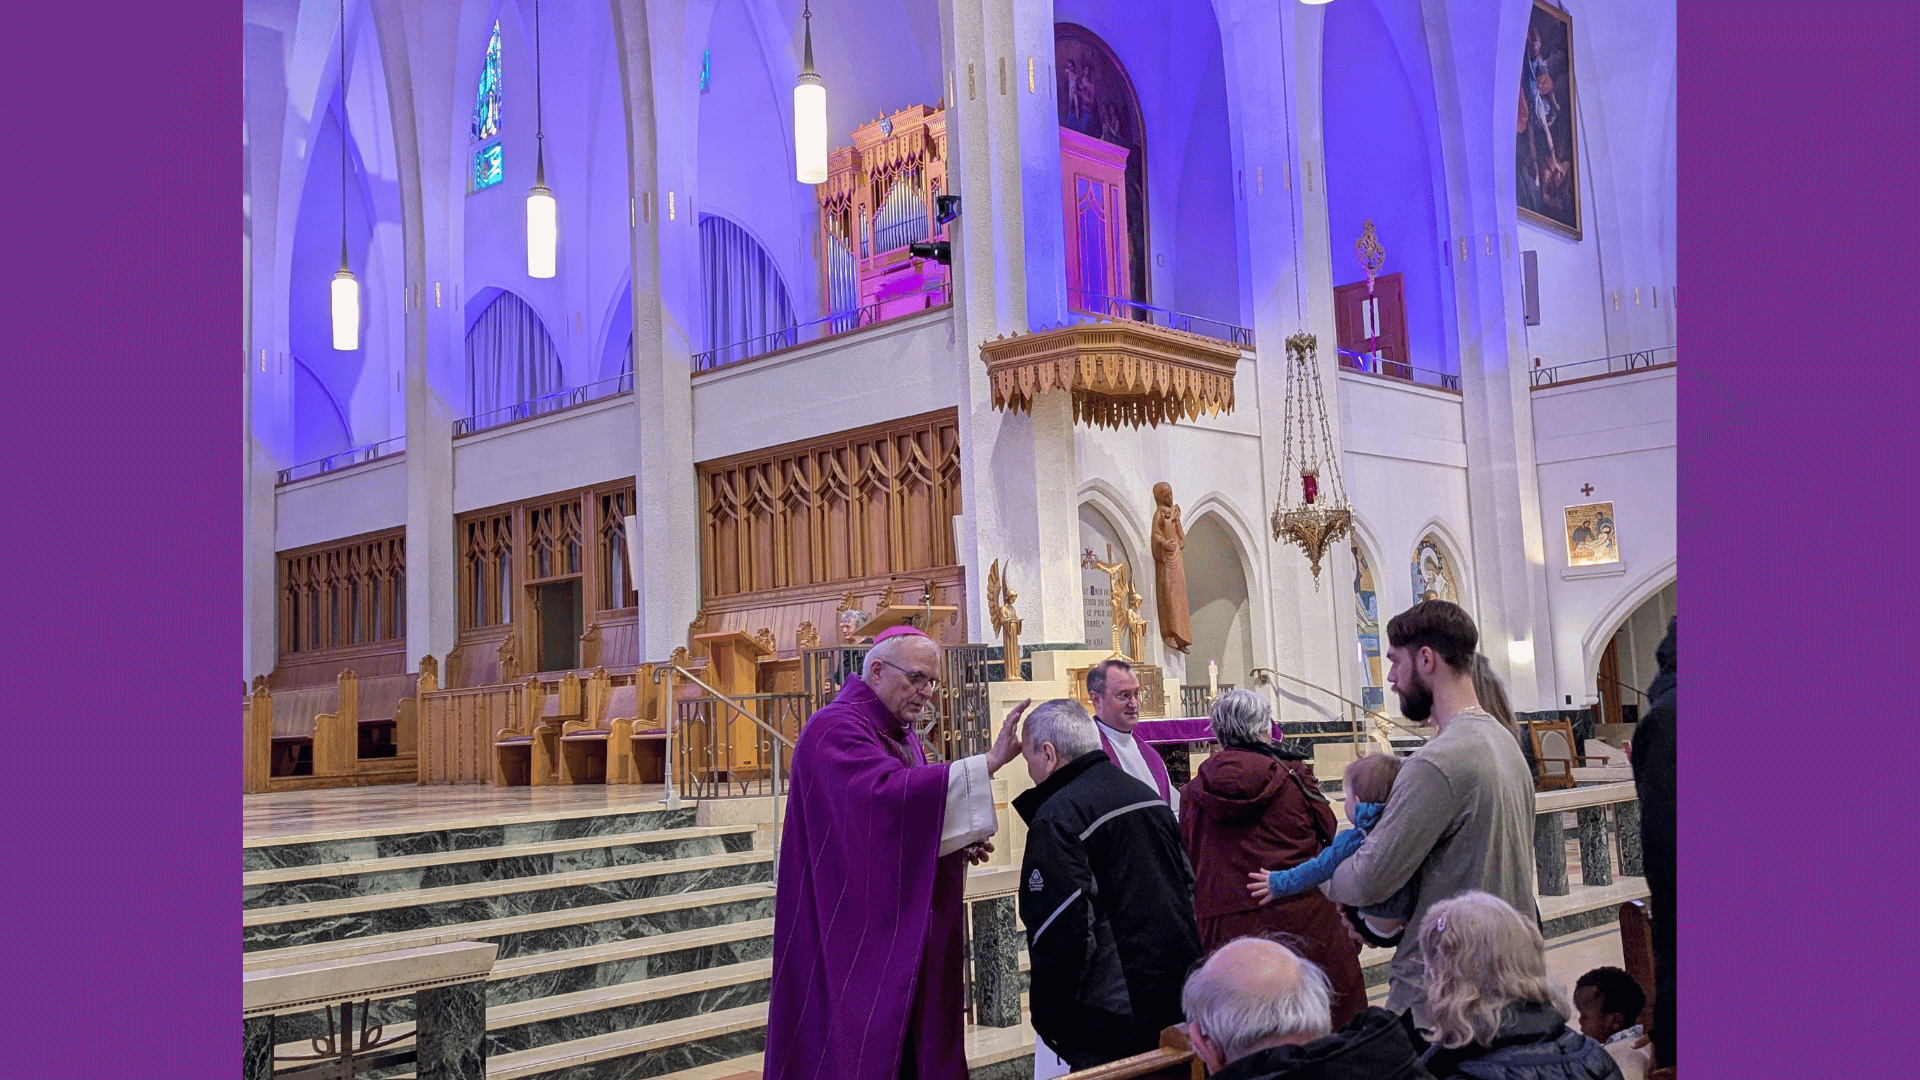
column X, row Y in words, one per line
column 869, row 939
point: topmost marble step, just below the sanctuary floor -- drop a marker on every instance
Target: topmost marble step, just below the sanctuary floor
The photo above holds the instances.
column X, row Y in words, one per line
column 479, row 831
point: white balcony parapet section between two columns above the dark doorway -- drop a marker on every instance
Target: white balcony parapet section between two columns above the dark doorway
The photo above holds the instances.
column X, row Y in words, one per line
column 583, row 447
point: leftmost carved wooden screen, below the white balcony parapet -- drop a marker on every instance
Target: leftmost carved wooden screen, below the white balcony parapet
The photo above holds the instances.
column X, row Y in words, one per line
column 345, row 595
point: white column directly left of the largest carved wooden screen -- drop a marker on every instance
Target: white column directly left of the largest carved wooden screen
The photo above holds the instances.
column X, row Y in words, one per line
column 665, row 295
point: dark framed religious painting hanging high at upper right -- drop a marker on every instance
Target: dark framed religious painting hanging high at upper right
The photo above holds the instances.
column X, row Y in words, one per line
column 1547, row 178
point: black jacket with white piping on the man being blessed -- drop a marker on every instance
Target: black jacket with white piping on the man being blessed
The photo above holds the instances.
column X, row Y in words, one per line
column 1109, row 904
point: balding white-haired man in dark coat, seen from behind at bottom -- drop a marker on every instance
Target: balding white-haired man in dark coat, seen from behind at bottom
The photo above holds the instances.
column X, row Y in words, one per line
column 1260, row 1012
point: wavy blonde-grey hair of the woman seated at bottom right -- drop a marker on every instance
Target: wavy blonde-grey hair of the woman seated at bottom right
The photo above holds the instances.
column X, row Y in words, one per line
column 1483, row 958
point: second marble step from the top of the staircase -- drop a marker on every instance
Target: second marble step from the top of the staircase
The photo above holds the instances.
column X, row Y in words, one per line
column 471, row 866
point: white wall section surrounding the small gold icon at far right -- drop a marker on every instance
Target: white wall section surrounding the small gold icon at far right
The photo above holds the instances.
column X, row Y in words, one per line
column 1618, row 435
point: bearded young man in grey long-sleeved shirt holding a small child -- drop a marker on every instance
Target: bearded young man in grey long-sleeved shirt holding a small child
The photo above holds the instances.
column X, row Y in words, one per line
column 1462, row 810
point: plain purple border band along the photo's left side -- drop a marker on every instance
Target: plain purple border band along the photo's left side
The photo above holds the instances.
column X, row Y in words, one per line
column 120, row 466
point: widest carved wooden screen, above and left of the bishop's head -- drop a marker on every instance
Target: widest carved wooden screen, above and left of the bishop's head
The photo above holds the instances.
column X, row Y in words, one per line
column 869, row 503
